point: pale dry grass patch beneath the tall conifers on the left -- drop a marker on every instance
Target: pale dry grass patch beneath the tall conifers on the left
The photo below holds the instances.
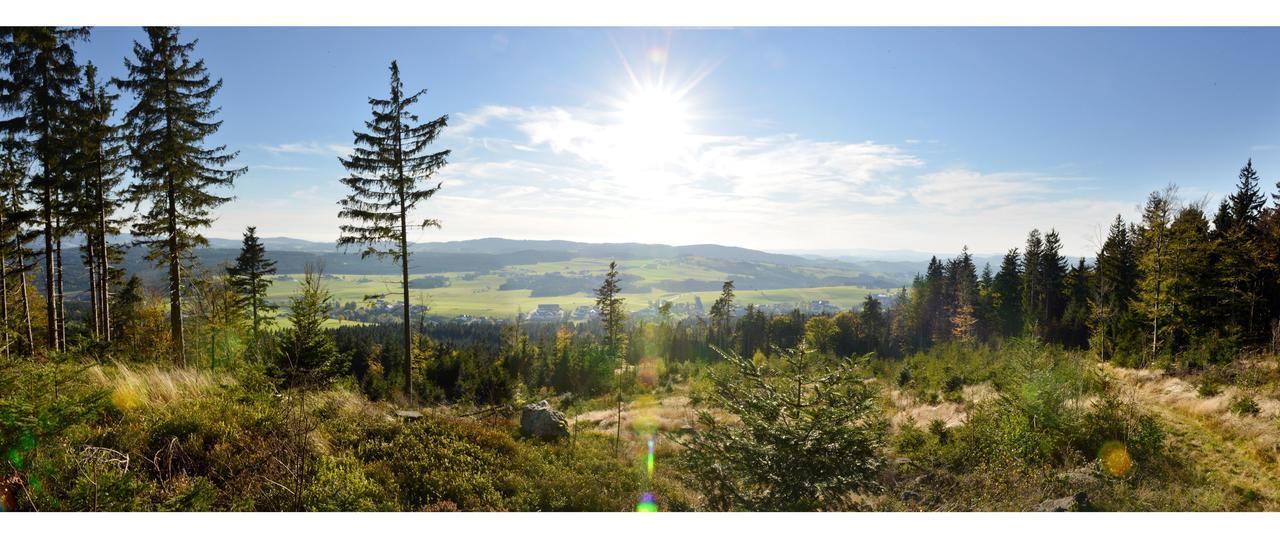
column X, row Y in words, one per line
column 153, row 386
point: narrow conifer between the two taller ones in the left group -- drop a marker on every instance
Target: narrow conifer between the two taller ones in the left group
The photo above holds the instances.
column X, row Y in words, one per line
column 99, row 172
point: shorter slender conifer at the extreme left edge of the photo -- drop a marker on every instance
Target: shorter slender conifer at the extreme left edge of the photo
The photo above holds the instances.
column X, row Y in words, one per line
column 15, row 254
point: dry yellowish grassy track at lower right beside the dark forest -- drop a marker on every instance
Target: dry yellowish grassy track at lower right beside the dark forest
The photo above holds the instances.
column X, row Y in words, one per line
column 1231, row 450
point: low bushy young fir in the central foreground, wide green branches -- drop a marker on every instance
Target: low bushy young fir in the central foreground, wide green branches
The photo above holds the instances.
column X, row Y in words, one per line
column 806, row 435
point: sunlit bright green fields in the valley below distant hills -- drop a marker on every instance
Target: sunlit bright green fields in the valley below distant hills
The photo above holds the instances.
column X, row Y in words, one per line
column 481, row 296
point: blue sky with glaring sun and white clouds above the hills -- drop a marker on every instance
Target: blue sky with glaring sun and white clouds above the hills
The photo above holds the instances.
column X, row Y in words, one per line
column 802, row 140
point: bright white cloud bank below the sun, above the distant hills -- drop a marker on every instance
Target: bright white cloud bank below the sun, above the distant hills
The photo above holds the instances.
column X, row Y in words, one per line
column 586, row 175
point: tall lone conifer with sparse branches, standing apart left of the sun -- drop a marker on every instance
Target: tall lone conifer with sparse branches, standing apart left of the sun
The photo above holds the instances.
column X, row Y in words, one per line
column 391, row 172
